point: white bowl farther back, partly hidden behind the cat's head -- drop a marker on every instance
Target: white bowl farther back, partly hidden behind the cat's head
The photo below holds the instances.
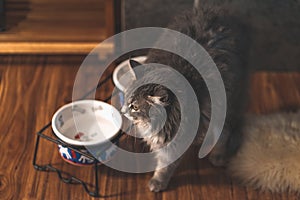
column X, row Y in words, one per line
column 120, row 82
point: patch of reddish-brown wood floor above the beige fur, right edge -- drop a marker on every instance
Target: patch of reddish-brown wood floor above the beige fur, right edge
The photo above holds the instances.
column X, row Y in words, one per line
column 271, row 91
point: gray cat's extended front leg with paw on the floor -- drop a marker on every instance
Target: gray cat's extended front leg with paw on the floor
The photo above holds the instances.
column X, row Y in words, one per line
column 162, row 176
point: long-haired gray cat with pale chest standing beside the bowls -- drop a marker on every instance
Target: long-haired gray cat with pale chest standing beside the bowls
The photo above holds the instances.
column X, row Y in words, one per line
column 225, row 39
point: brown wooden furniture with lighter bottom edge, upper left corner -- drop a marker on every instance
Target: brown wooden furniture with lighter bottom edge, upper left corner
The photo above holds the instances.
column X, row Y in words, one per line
column 54, row 27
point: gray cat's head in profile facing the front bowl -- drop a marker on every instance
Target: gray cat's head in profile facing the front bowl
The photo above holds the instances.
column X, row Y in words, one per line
column 147, row 105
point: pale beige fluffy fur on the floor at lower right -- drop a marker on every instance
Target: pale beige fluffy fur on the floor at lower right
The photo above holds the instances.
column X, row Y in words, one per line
column 269, row 156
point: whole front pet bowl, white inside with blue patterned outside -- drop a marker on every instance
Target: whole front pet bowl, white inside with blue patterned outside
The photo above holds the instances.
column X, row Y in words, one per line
column 87, row 124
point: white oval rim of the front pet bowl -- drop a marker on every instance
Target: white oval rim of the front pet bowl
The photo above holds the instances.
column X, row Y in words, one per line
column 78, row 142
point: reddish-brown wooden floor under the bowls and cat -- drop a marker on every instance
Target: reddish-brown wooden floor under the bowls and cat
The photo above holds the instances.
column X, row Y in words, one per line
column 33, row 87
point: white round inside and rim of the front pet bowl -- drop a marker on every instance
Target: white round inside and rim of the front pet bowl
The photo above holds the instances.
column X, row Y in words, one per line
column 86, row 122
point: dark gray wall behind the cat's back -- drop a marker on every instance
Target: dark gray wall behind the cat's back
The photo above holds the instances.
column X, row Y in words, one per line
column 275, row 25
